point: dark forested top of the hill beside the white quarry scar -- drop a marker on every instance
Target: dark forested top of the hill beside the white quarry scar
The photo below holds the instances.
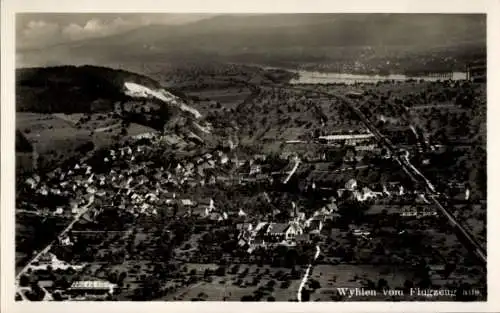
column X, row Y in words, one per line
column 71, row 89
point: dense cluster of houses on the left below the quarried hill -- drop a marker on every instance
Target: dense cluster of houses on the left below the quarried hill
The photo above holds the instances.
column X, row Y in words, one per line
column 139, row 188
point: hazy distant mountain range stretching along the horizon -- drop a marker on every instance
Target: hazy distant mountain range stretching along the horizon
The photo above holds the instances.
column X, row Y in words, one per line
column 294, row 37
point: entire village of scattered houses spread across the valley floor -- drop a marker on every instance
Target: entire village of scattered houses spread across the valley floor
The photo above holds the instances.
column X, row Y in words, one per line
column 140, row 181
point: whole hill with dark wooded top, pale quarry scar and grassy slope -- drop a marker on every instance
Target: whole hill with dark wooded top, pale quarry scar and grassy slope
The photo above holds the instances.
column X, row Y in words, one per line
column 68, row 111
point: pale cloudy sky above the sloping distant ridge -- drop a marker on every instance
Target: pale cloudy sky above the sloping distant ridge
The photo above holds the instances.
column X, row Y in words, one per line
column 36, row 30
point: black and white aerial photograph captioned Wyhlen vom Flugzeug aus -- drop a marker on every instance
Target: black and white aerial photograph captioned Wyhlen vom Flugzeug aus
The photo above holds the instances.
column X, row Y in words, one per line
column 250, row 157
